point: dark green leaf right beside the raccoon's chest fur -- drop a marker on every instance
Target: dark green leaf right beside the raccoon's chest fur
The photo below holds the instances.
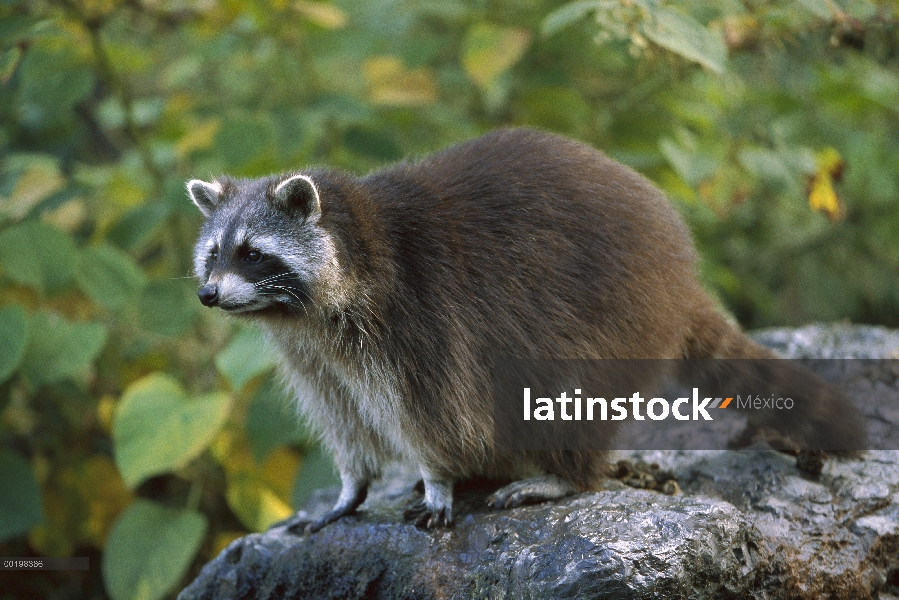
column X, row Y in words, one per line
column 272, row 421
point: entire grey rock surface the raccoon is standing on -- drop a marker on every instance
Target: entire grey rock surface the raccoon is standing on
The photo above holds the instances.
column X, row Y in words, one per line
column 740, row 524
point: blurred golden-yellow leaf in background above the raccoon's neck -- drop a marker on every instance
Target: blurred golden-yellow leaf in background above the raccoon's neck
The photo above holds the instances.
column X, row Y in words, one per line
column 391, row 83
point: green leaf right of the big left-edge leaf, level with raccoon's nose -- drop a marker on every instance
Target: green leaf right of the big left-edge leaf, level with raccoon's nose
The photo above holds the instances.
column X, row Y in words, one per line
column 109, row 277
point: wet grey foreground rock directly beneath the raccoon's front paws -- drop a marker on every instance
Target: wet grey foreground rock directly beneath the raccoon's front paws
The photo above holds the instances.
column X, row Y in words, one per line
column 547, row 550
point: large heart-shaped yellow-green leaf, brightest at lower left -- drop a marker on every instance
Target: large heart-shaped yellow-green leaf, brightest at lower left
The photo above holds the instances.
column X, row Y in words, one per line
column 157, row 428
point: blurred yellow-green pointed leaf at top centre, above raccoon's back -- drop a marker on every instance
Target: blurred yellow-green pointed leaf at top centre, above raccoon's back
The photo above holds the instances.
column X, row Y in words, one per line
column 489, row 51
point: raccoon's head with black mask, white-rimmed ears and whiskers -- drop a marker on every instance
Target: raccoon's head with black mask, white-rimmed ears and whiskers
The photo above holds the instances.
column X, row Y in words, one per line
column 261, row 247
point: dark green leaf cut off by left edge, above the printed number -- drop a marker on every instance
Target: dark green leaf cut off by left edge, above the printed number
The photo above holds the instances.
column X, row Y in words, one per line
column 20, row 498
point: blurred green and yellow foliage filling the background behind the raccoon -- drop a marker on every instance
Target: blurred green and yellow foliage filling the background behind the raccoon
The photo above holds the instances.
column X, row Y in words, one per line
column 146, row 433
